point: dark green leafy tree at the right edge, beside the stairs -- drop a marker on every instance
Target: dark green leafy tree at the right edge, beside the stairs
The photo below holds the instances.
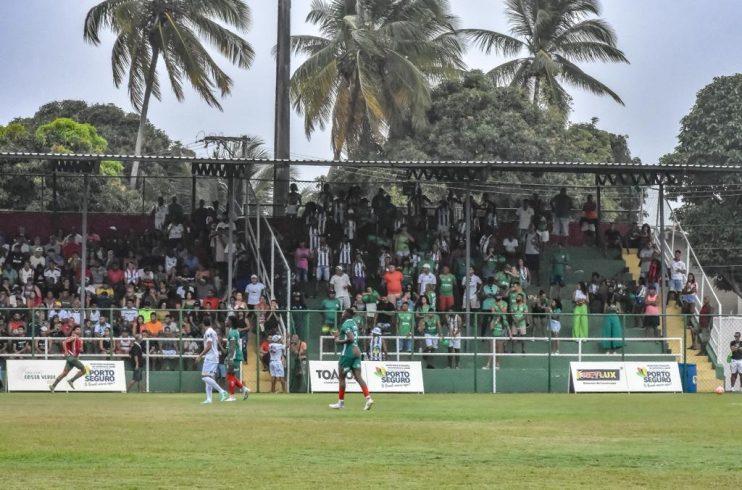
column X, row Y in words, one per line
column 711, row 134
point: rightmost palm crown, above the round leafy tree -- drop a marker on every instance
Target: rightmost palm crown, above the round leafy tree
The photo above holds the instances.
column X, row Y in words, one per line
column 556, row 34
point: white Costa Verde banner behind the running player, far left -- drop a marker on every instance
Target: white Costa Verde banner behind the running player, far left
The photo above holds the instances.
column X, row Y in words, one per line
column 36, row 375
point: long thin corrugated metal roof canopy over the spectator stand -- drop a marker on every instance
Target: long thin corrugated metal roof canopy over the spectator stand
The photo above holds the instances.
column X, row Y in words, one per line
column 455, row 170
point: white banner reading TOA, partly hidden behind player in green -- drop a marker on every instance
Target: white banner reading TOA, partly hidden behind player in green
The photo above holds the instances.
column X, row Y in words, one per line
column 381, row 377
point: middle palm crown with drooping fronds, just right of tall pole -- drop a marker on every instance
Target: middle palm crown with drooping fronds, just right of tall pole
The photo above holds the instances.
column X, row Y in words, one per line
column 370, row 71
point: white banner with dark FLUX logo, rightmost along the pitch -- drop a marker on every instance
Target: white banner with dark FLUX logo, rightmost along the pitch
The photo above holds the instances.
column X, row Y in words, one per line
column 624, row 377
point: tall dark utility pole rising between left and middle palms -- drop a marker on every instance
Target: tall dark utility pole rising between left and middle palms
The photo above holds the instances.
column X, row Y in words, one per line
column 282, row 142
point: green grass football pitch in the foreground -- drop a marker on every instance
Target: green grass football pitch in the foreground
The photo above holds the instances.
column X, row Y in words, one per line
column 412, row 441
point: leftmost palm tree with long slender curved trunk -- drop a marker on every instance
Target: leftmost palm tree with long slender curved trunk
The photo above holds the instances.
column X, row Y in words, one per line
column 174, row 30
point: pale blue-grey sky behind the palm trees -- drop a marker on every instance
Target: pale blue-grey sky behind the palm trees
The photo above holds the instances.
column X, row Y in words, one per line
column 676, row 47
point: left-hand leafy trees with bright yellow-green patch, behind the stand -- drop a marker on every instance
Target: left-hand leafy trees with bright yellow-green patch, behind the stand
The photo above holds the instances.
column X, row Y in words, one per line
column 72, row 125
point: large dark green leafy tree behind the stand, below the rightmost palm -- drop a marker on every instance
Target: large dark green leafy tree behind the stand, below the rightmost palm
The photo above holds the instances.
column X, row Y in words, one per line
column 472, row 119
